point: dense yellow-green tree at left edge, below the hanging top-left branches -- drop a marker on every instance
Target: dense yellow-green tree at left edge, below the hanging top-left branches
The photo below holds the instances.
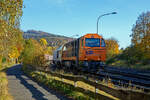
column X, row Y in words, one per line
column 10, row 37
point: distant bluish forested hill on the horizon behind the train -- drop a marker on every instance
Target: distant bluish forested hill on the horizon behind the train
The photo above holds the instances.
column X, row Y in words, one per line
column 52, row 39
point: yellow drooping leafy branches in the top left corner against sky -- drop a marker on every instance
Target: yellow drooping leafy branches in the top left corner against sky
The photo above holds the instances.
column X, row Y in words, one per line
column 11, row 11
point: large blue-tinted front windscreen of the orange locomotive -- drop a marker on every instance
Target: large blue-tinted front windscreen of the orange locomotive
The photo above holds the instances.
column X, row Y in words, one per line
column 92, row 42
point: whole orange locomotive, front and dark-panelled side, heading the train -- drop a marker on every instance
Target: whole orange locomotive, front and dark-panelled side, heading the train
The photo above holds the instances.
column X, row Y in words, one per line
column 87, row 52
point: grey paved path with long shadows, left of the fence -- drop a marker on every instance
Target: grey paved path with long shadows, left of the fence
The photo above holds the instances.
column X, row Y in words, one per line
column 22, row 87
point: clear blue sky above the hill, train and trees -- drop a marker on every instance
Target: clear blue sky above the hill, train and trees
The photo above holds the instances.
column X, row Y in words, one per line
column 72, row 17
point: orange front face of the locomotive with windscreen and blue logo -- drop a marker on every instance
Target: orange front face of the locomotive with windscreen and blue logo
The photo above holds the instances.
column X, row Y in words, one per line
column 91, row 50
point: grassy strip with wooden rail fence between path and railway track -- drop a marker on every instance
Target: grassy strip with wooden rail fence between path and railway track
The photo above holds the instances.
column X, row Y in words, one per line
column 80, row 88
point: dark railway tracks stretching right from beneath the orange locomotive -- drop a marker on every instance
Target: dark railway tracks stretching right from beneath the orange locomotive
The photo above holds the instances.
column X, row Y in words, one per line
column 121, row 77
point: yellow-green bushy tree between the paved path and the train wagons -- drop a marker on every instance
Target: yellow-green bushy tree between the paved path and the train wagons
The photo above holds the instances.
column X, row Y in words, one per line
column 34, row 54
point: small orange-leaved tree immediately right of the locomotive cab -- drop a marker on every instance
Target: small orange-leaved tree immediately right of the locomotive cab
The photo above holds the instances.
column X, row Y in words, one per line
column 112, row 47
